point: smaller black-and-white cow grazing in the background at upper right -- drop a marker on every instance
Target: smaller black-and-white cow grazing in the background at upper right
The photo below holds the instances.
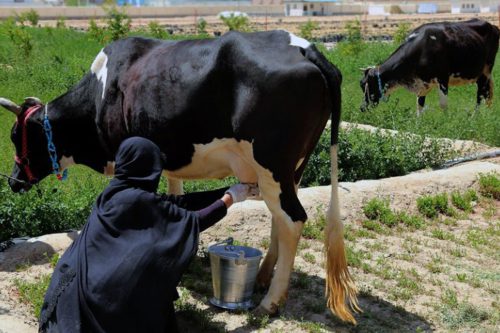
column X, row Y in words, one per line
column 437, row 54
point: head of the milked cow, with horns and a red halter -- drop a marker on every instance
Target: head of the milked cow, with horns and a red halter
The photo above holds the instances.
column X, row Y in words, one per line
column 31, row 162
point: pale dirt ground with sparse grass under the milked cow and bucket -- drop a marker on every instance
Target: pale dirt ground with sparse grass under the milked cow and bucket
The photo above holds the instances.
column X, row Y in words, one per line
column 442, row 277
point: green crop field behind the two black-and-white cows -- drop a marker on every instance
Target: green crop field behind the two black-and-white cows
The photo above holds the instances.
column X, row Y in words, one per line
column 46, row 62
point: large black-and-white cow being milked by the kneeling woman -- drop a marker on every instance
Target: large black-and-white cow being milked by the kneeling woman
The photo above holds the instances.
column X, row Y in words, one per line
column 252, row 105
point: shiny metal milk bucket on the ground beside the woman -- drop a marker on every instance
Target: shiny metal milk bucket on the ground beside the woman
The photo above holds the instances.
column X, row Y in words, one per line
column 234, row 270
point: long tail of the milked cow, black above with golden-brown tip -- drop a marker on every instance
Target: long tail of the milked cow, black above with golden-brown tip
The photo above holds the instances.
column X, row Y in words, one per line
column 340, row 287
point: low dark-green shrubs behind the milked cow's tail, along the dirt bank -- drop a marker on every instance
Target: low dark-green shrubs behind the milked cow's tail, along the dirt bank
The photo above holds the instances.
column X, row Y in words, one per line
column 367, row 155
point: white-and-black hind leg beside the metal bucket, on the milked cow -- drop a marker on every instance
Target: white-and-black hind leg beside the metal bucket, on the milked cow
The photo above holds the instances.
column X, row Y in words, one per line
column 288, row 217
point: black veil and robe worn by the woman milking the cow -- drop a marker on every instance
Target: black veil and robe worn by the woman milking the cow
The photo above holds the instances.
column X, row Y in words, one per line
column 121, row 272
